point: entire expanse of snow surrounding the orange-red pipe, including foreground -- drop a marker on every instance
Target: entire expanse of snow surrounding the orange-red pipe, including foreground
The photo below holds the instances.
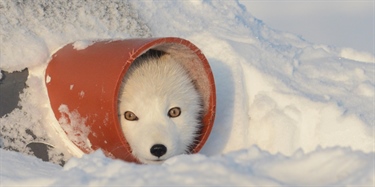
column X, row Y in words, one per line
column 289, row 112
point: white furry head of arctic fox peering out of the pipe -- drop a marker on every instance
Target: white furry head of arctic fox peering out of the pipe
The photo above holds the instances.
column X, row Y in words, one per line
column 159, row 108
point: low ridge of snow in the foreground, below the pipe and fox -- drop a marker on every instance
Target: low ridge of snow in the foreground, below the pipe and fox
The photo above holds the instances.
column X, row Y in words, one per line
column 246, row 167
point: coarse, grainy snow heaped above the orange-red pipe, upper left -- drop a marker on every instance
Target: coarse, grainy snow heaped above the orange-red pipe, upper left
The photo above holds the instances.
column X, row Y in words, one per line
column 33, row 30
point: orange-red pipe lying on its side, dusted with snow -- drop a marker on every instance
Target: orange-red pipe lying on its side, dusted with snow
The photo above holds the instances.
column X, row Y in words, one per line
column 84, row 78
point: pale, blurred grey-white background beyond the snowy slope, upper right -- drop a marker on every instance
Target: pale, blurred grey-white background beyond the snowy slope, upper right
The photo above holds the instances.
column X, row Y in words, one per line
column 338, row 23
